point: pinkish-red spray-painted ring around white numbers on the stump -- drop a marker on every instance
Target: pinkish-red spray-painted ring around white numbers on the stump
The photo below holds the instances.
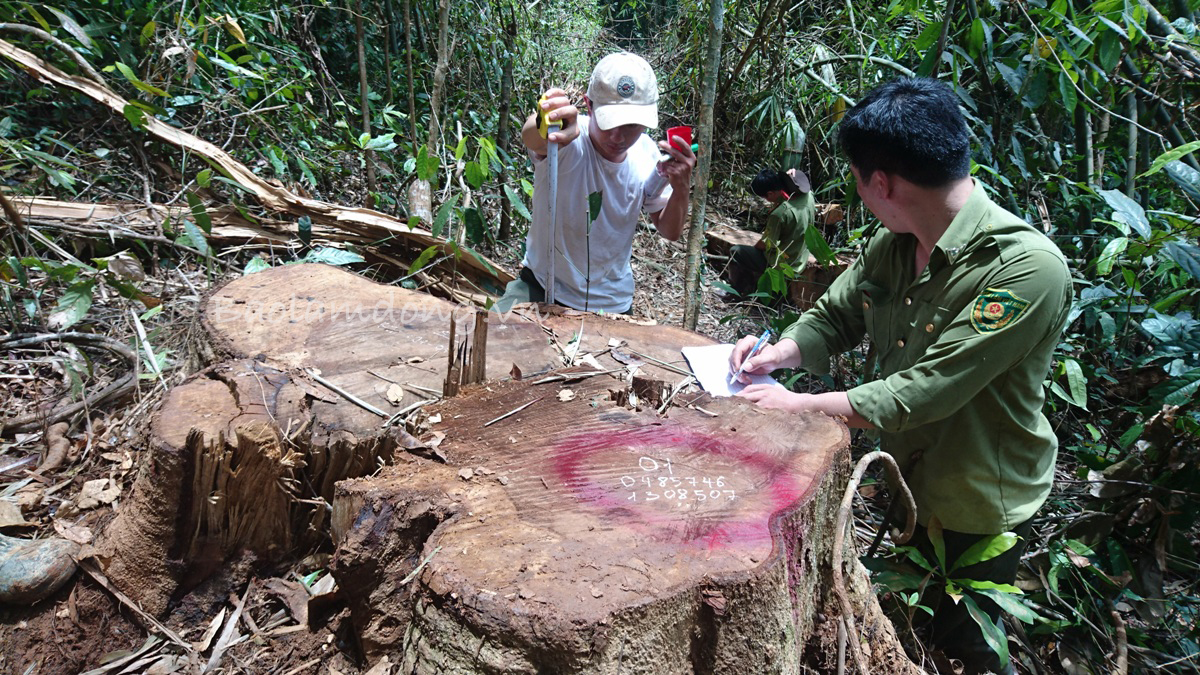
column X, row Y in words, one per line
column 574, row 463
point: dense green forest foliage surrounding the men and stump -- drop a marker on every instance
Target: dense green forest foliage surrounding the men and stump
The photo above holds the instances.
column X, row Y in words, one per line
column 1084, row 120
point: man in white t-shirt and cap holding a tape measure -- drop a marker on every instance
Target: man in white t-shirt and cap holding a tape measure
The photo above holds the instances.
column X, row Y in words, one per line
column 614, row 158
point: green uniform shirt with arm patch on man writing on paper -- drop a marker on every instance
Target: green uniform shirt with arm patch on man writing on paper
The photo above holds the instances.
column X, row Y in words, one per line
column 963, row 351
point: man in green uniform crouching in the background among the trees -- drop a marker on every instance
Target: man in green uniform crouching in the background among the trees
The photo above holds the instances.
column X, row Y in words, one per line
column 783, row 242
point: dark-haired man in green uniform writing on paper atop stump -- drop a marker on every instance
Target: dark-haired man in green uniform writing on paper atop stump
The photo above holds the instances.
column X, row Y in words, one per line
column 964, row 303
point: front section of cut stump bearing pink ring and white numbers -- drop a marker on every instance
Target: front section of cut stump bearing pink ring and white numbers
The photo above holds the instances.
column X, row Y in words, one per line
column 584, row 537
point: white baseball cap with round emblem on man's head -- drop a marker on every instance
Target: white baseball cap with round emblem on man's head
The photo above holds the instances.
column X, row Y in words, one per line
column 625, row 91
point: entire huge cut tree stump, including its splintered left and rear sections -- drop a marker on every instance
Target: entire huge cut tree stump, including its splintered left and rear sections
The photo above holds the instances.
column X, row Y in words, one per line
column 605, row 528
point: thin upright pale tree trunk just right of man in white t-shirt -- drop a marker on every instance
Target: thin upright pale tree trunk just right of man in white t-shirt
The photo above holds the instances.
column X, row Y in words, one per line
column 693, row 298
